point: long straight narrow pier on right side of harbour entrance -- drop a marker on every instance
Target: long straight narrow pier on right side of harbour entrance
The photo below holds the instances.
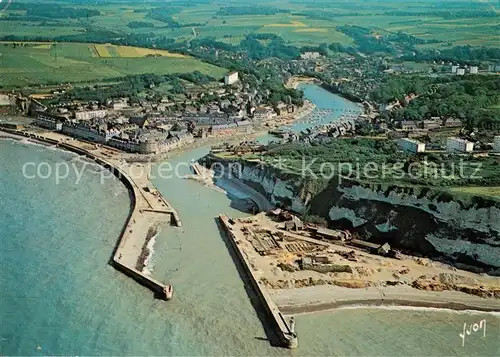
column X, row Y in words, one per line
column 284, row 330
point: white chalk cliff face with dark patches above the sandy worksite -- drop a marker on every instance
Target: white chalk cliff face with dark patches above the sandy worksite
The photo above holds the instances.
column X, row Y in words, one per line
column 430, row 222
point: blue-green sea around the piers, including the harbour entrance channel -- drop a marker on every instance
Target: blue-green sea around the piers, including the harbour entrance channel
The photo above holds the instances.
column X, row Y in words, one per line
column 60, row 296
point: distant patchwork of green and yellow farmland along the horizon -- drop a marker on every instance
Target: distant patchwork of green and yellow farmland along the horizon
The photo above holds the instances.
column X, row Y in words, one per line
column 455, row 22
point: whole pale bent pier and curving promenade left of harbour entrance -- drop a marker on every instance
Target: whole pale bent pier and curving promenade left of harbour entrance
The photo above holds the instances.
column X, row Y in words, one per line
column 148, row 208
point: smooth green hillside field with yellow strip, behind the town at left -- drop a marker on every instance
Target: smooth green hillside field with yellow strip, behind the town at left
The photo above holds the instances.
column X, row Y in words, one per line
column 76, row 62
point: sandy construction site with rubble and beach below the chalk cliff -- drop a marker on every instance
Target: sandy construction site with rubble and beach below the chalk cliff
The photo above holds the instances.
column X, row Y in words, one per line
column 307, row 267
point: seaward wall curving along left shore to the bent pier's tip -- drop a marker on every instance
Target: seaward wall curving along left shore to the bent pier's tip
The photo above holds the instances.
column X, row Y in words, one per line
column 126, row 268
